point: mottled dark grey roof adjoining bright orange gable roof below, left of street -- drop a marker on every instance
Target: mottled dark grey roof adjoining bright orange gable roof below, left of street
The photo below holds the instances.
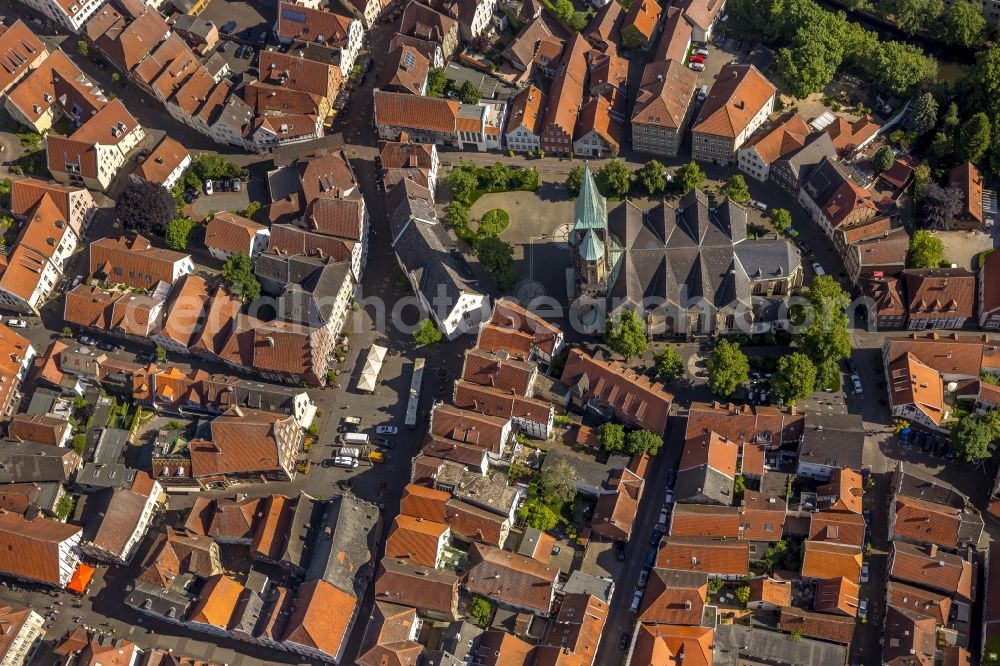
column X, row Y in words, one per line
column 343, row 543
